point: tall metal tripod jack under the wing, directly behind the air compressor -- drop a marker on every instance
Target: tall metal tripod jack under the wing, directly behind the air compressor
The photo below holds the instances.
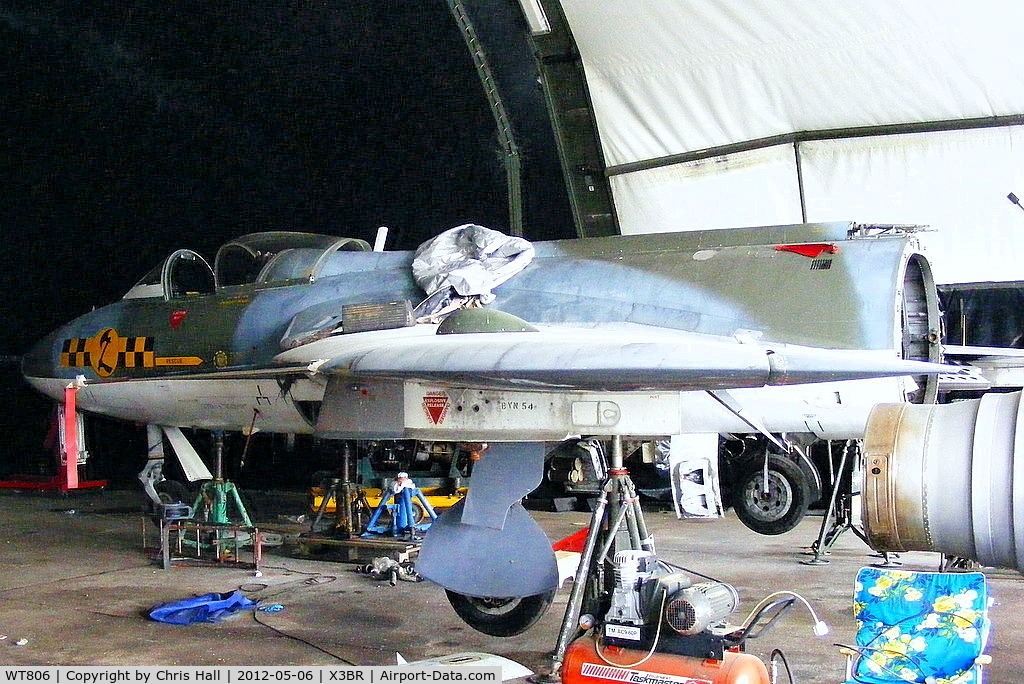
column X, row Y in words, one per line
column 617, row 504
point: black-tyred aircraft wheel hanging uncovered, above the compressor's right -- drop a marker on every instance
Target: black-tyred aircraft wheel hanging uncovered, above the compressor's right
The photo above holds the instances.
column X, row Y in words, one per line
column 783, row 506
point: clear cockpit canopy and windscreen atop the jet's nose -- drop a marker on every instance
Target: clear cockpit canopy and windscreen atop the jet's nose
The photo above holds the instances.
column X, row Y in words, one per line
column 263, row 259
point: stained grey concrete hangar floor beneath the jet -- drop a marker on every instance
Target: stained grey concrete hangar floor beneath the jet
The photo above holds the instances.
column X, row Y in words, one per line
column 76, row 583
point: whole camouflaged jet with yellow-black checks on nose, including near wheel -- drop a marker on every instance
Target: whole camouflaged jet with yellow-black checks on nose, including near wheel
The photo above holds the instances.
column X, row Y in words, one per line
column 480, row 337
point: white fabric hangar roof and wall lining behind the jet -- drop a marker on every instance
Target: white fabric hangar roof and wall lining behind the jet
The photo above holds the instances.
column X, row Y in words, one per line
column 729, row 113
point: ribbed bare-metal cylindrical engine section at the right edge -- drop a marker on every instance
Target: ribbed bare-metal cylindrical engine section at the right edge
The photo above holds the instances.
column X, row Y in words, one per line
column 942, row 478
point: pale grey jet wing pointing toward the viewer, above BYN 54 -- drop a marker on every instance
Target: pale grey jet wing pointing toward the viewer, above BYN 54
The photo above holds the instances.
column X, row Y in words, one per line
column 589, row 359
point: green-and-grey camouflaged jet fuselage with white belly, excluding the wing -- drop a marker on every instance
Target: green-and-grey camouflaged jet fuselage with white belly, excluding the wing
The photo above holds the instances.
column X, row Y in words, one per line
column 210, row 359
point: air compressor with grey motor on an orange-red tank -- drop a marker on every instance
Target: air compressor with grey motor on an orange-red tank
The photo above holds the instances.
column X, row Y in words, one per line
column 661, row 628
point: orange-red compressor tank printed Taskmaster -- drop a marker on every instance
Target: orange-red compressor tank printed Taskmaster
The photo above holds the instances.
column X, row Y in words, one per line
column 583, row 665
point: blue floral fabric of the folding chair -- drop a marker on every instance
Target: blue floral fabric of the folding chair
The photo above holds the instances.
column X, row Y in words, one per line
column 919, row 627
